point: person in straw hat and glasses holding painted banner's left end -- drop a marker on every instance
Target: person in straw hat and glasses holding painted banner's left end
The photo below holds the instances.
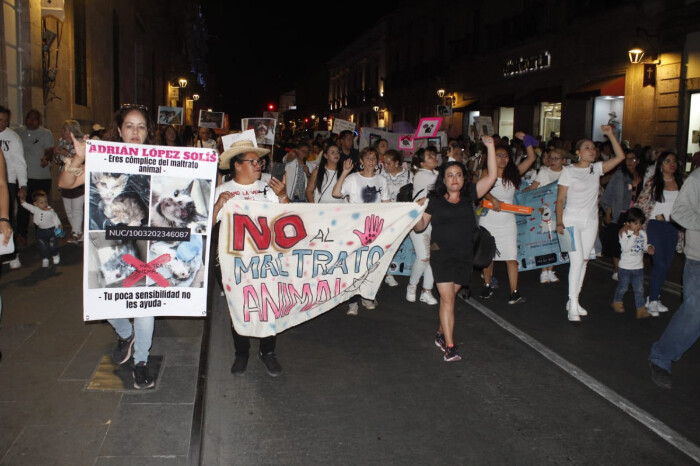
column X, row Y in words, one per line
column 243, row 159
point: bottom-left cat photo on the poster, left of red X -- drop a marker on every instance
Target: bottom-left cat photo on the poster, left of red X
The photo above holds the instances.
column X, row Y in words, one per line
column 107, row 267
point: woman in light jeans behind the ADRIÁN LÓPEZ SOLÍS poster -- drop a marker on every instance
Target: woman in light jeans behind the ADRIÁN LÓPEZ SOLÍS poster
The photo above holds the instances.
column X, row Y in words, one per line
column 133, row 125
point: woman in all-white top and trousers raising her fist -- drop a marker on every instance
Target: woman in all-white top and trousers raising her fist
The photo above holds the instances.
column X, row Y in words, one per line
column 578, row 189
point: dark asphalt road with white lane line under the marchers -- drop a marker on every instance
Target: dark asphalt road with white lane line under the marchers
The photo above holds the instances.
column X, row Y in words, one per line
column 532, row 388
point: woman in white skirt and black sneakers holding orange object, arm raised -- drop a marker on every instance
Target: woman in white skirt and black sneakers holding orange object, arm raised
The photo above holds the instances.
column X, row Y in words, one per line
column 502, row 224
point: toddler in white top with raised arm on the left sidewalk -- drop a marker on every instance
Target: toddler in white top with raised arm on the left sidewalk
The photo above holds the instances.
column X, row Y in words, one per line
column 46, row 221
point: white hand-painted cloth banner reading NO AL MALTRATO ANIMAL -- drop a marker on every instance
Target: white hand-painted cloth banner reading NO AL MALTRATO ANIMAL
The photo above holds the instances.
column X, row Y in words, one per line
column 283, row 264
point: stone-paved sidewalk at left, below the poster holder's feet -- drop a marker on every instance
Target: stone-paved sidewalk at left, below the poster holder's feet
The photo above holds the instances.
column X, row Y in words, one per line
column 47, row 416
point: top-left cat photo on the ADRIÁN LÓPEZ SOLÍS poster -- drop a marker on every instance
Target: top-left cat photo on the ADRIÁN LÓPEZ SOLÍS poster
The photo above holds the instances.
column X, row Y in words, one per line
column 118, row 199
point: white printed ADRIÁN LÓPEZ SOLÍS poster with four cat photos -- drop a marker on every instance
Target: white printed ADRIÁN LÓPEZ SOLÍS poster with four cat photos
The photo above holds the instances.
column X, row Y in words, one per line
column 147, row 216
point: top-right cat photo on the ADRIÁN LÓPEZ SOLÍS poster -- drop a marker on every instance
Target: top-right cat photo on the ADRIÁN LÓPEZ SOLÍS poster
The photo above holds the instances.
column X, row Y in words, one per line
column 180, row 203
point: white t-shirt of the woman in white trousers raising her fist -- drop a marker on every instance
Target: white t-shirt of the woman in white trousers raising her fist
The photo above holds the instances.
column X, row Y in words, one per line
column 584, row 184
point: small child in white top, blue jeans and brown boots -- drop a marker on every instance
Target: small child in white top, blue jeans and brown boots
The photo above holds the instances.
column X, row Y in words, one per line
column 633, row 242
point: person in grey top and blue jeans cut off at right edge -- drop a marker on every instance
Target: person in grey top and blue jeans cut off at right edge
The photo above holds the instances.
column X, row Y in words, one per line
column 684, row 328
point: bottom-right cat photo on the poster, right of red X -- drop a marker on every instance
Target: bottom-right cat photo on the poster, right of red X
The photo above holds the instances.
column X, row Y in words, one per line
column 186, row 259
